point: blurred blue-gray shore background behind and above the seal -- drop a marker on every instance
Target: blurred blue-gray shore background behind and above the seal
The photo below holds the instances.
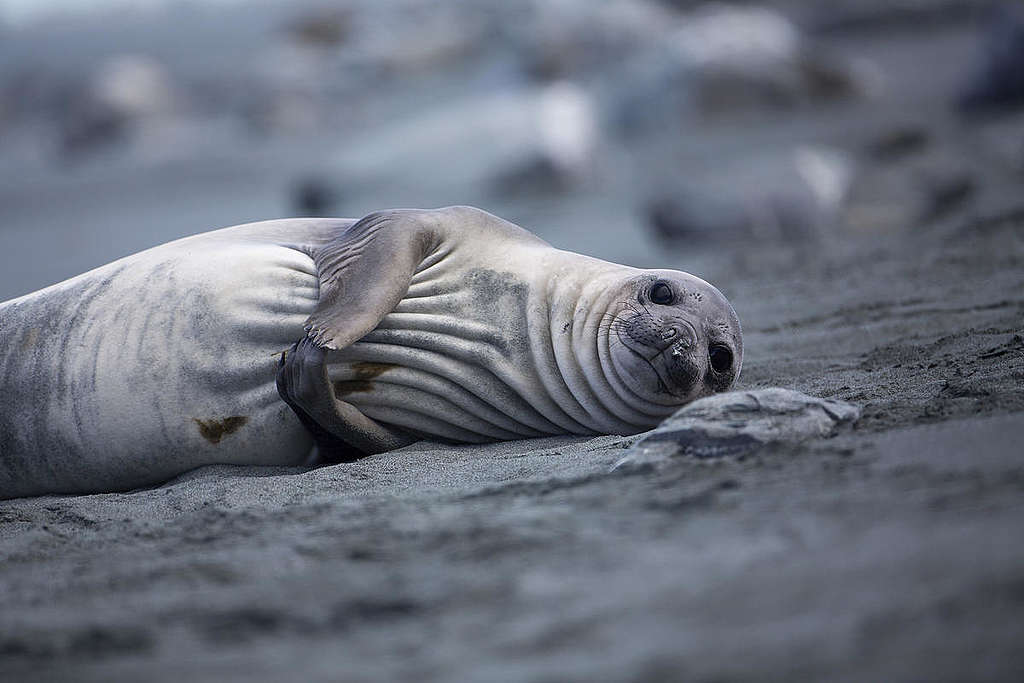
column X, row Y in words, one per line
column 650, row 133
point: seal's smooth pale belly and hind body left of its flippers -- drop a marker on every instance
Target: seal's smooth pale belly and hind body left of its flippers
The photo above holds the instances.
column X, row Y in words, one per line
column 152, row 366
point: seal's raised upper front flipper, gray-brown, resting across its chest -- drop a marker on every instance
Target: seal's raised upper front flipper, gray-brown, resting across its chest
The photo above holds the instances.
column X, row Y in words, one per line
column 366, row 271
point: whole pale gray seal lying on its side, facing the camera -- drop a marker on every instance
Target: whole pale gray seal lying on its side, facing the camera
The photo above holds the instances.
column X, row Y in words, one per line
column 448, row 324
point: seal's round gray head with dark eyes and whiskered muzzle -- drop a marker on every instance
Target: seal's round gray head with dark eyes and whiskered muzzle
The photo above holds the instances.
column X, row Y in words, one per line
column 674, row 338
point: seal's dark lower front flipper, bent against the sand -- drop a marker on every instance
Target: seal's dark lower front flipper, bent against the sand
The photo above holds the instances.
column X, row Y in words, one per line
column 342, row 433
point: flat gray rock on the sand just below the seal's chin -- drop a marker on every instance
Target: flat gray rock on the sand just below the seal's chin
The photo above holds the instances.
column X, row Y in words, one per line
column 740, row 422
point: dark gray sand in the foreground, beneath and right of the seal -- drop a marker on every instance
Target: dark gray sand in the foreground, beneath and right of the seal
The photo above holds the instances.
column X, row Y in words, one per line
column 889, row 552
